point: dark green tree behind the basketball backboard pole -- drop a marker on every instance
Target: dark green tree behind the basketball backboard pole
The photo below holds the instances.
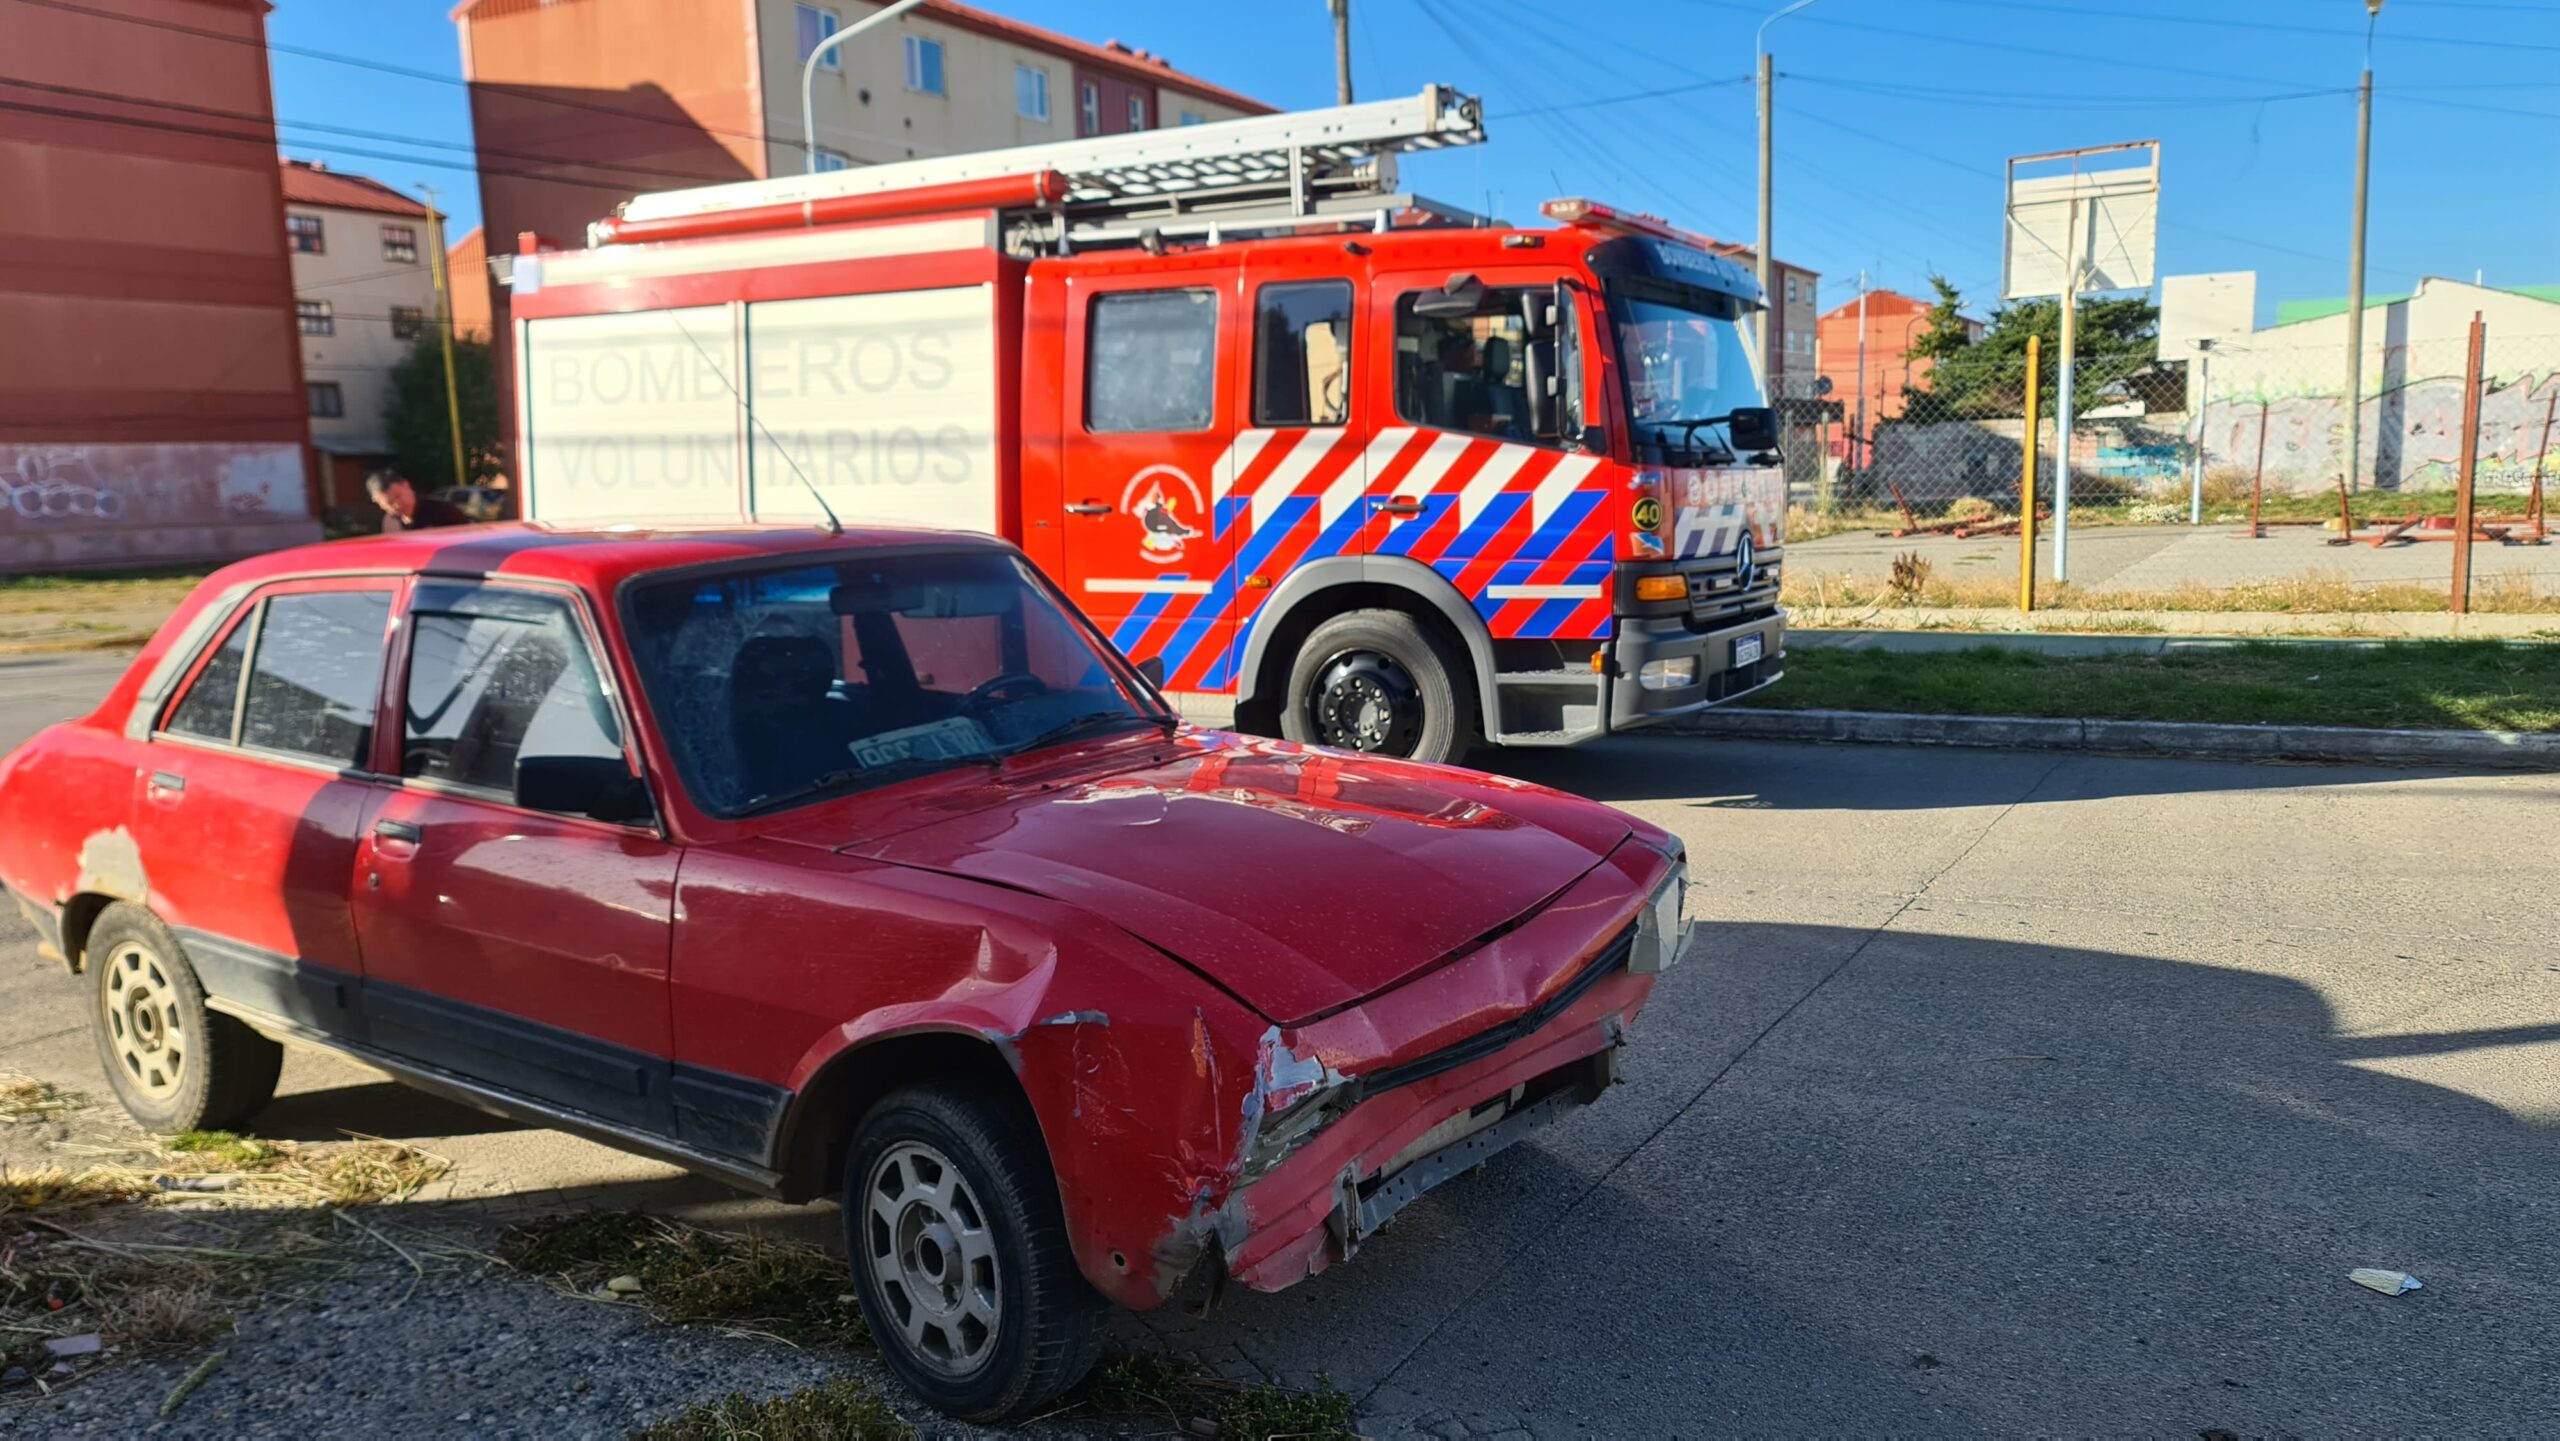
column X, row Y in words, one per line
column 1988, row 378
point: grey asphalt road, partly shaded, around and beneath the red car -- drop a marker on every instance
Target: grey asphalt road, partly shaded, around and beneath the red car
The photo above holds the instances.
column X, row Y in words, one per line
column 2001, row 1094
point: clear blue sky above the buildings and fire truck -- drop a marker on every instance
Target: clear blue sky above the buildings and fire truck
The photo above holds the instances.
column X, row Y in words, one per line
column 1896, row 116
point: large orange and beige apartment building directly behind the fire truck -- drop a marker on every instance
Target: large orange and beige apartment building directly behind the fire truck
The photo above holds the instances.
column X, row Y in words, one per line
column 585, row 104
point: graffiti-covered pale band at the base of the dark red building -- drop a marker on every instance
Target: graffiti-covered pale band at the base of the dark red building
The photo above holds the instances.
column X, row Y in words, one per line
column 111, row 488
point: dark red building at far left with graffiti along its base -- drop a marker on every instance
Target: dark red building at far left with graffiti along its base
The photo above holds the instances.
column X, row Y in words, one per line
column 152, row 401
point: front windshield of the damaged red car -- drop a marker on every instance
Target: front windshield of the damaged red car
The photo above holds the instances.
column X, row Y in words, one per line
column 803, row 682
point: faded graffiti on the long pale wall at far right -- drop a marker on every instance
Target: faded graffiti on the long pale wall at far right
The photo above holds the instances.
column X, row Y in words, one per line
column 2413, row 436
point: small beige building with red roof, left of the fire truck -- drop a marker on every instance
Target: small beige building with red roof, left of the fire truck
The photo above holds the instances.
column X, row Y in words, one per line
column 365, row 293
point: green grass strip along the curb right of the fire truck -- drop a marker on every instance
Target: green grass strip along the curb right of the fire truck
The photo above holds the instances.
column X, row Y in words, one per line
column 2410, row 685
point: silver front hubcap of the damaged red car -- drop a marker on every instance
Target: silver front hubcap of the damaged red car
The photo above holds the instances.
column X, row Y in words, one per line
column 933, row 1255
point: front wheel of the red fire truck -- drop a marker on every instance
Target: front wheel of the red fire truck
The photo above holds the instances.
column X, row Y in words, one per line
column 1379, row 682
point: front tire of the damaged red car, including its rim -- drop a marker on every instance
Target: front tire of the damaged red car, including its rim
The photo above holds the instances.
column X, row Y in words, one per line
column 961, row 1255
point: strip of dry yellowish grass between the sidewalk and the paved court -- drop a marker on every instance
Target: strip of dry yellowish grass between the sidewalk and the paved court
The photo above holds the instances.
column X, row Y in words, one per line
column 2318, row 593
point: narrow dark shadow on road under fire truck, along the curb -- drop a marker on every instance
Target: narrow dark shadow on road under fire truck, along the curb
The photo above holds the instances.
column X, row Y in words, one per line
column 1791, row 777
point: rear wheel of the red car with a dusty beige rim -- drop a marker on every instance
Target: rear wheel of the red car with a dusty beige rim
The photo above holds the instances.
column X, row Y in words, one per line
column 175, row 1063
